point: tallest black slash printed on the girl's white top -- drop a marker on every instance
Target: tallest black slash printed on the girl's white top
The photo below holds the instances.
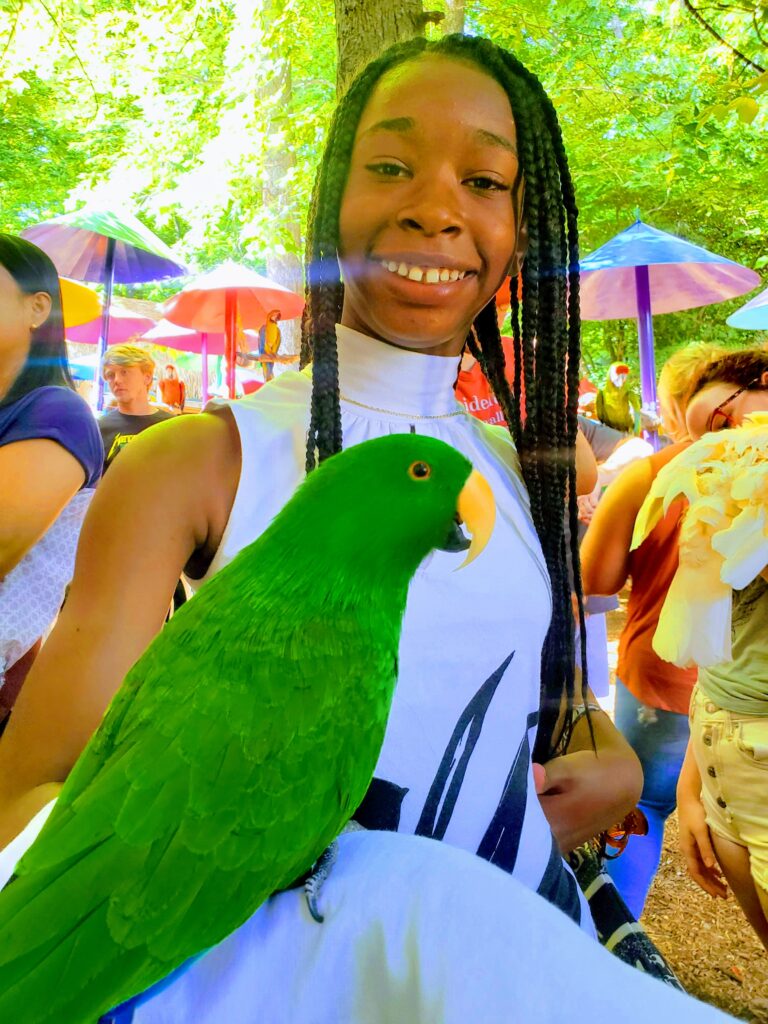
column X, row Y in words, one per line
column 445, row 791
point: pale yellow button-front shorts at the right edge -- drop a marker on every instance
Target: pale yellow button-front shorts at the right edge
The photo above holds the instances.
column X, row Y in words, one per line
column 732, row 752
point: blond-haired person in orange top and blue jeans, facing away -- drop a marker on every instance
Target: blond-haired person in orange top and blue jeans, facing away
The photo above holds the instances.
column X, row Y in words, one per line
column 653, row 696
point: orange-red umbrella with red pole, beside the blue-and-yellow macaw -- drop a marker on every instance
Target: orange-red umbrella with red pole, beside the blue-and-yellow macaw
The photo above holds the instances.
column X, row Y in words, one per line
column 230, row 298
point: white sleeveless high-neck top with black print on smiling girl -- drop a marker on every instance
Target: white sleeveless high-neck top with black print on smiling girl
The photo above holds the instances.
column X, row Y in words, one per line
column 456, row 761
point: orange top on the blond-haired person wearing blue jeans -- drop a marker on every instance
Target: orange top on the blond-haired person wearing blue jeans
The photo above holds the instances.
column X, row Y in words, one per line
column 653, row 566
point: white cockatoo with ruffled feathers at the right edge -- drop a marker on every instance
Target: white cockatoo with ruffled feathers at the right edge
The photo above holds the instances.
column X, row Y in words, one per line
column 723, row 538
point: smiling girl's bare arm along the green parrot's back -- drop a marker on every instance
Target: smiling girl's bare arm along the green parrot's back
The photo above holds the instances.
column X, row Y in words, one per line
column 169, row 495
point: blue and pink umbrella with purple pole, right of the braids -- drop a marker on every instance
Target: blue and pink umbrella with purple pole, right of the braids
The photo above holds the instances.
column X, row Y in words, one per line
column 644, row 272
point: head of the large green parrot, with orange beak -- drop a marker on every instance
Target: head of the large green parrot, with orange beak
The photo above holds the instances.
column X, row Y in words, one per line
column 379, row 508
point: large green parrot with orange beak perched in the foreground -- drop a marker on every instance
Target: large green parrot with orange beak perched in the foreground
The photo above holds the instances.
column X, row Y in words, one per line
column 233, row 755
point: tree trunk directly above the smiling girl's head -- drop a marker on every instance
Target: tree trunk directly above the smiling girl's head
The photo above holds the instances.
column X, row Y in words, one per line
column 366, row 28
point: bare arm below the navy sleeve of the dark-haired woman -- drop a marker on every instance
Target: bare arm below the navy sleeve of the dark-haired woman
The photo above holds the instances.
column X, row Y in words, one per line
column 39, row 478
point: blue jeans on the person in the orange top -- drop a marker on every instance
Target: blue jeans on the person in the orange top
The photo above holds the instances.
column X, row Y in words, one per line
column 660, row 740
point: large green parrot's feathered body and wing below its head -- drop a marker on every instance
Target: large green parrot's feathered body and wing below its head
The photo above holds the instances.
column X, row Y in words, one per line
column 211, row 784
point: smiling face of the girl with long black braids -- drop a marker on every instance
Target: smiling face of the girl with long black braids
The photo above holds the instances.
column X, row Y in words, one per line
column 431, row 218
